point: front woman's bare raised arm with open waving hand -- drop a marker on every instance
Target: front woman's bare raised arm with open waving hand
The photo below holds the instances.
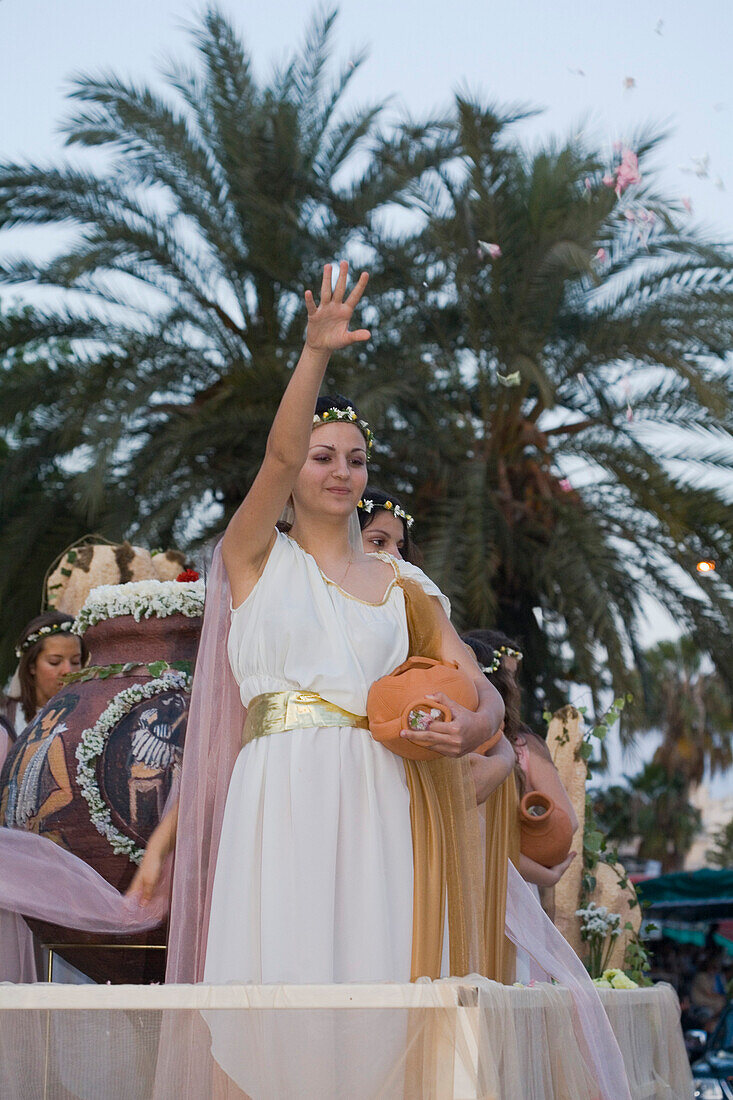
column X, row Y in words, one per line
column 250, row 535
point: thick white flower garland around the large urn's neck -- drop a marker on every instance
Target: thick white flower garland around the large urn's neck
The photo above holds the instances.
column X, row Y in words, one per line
column 141, row 600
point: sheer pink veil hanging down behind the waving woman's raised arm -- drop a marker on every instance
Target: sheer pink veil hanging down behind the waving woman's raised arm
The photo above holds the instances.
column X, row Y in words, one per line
column 213, row 743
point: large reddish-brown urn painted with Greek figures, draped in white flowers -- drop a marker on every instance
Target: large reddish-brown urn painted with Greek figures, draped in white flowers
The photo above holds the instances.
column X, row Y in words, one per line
column 94, row 769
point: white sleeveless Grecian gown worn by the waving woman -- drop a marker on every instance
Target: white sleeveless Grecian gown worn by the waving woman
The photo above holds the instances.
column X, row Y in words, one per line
column 314, row 879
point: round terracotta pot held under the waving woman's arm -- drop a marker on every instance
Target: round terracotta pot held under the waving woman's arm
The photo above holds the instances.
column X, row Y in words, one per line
column 393, row 698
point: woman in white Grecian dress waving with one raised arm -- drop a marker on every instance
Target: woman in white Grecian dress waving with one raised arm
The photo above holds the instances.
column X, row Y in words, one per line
column 314, row 876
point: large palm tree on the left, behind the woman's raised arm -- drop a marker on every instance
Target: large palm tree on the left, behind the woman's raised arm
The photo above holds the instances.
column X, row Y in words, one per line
column 148, row 384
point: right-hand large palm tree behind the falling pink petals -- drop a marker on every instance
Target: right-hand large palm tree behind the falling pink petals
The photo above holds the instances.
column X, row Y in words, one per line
column 578, row 339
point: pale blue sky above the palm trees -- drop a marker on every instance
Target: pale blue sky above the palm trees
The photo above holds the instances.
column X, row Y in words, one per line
column 571, row 59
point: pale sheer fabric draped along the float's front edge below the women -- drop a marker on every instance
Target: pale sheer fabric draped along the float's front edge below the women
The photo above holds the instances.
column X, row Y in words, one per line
column 437, row 1041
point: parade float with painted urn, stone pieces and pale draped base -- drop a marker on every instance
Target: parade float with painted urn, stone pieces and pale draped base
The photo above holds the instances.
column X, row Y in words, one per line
column 94, row 772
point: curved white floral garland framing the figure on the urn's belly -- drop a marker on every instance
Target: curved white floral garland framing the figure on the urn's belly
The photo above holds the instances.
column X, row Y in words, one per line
column 92, row 746
